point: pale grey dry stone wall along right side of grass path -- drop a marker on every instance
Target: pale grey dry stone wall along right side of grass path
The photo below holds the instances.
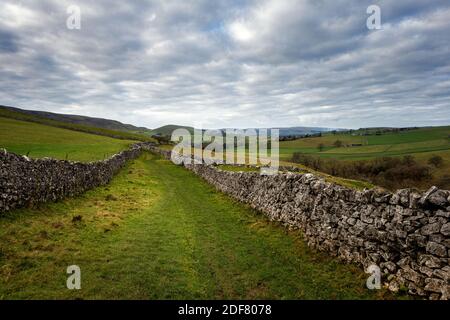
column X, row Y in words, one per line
column 405, row 233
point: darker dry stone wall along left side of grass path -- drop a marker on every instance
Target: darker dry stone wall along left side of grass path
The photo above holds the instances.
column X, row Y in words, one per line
column 25, row 182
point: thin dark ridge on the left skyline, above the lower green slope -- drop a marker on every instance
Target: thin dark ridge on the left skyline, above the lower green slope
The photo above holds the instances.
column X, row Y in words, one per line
column 81, row 120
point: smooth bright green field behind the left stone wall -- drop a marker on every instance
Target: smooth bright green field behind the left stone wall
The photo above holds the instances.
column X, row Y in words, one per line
column 39, row 140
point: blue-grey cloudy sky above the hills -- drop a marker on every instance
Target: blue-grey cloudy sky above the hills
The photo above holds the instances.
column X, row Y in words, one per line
column 231, row 63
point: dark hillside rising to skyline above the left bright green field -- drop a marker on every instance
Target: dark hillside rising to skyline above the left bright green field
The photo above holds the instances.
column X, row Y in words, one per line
column 31, row 116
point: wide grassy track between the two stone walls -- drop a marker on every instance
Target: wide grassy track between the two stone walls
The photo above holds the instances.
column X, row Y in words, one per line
column 159, row 232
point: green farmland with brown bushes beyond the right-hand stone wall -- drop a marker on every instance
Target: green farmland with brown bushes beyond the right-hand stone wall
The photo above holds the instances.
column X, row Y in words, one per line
column 393, row 159
